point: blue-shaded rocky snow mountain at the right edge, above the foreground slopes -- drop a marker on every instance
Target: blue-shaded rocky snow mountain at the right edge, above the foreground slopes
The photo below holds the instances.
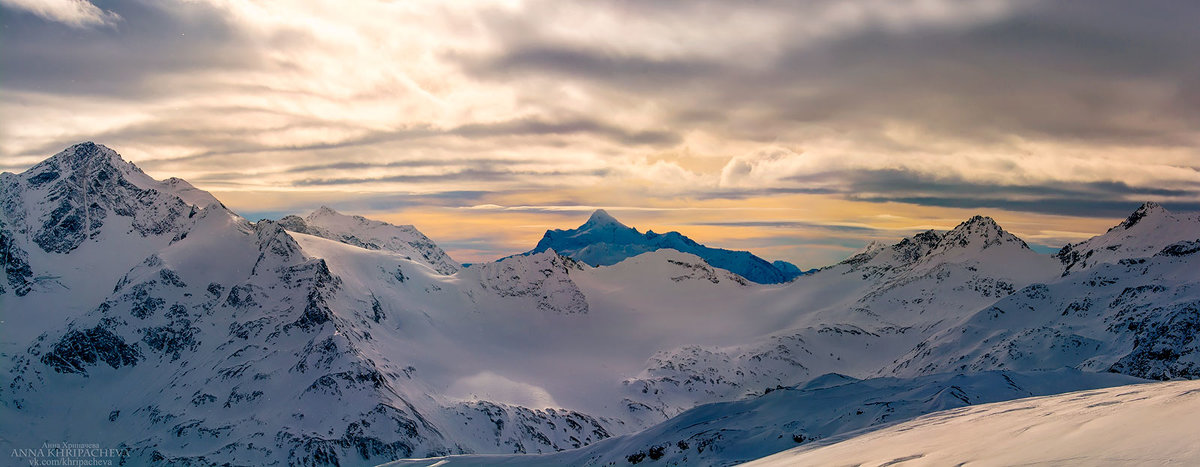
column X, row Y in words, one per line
column 1126, row 303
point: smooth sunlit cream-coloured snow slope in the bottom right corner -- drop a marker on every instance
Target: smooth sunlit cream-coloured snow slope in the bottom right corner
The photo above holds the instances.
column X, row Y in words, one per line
column 1144, row 424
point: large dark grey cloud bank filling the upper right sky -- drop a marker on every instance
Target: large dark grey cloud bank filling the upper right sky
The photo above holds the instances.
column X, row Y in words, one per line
column 1103, row 73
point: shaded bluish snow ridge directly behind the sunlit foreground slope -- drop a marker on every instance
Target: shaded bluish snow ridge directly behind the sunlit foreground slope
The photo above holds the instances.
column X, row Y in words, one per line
column 729, row 433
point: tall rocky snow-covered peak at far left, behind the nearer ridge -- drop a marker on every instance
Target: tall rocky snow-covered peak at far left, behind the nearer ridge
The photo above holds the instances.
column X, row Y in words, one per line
column 73, row 225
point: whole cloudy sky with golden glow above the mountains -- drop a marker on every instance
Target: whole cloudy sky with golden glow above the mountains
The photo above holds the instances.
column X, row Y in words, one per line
column 797, row 130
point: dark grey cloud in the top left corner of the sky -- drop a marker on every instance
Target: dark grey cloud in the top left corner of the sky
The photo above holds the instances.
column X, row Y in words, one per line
column 152, row 40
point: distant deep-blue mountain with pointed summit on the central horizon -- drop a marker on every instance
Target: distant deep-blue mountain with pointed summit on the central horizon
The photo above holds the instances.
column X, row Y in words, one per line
column 603, row 241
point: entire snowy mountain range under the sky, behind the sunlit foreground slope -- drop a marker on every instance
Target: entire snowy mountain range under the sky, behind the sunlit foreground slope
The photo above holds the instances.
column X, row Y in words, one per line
column 158, row 321
